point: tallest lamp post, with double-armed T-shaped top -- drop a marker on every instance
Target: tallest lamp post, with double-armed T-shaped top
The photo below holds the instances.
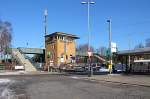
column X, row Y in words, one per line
column 89, row 33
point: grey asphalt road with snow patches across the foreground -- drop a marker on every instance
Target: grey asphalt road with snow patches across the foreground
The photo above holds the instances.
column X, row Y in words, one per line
column 66, row 87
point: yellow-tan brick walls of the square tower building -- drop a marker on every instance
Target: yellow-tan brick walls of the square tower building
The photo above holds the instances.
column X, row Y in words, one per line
column 58, row 53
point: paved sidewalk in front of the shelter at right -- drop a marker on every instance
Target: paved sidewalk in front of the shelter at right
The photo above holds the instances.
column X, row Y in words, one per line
column 136, row 80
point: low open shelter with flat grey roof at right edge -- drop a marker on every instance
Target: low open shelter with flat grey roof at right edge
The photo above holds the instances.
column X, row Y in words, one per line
column 137, row 60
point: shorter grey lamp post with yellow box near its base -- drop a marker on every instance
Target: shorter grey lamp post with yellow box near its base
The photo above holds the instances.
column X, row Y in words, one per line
column 110, row 40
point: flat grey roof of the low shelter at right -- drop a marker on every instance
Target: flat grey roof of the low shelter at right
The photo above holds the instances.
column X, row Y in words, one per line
column 135, row 51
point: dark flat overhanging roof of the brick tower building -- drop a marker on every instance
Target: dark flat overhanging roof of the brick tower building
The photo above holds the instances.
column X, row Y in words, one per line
column 63, row 34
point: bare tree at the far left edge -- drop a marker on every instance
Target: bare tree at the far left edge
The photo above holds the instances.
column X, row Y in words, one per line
column 5, row 37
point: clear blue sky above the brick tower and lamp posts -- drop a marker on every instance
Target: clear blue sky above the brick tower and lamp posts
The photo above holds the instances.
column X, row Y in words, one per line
column 129, row 17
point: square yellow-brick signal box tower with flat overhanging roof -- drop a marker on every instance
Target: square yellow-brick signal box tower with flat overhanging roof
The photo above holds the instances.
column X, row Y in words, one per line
column 60, row 49
